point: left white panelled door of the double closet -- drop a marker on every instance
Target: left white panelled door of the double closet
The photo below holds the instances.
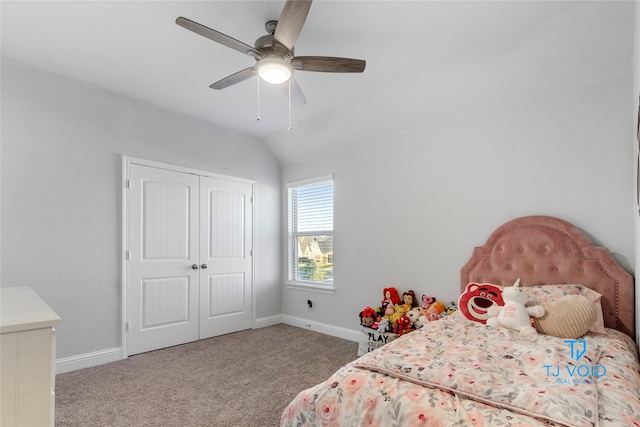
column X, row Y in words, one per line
column 162, row 301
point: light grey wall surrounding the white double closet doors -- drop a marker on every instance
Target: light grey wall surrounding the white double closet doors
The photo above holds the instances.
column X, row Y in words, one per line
column 62, row 143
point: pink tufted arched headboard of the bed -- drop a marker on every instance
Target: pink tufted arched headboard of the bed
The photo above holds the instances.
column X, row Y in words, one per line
column 543, row 250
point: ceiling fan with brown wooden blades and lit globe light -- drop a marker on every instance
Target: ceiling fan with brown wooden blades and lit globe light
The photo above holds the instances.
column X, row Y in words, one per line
column 274, row 53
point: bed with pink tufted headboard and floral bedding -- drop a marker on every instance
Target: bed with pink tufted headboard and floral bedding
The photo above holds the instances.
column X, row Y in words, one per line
column 458, row 372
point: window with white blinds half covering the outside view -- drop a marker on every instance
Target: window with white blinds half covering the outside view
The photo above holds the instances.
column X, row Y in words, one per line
column 310, row 237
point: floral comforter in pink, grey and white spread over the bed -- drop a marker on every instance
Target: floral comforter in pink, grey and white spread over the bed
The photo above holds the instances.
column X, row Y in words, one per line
column 454, row 372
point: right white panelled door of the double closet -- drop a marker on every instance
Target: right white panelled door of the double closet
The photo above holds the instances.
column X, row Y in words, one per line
column 226, row 246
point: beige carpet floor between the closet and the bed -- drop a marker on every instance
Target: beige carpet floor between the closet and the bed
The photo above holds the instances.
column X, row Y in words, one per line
column 241, row 379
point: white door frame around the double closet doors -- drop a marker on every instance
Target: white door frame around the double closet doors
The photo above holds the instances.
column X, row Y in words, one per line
column 126, row 162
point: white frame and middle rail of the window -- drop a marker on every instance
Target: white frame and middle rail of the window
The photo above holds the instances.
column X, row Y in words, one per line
column 292, row 236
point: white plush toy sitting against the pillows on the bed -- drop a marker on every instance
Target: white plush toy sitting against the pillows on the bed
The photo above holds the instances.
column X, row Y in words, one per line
column 514, row 315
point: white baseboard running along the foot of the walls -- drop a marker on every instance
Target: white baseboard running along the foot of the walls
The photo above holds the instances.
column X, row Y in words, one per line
column 87, row 360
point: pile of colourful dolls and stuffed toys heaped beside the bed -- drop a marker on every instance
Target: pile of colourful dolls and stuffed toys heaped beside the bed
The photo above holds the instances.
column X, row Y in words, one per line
column 402, row 315
